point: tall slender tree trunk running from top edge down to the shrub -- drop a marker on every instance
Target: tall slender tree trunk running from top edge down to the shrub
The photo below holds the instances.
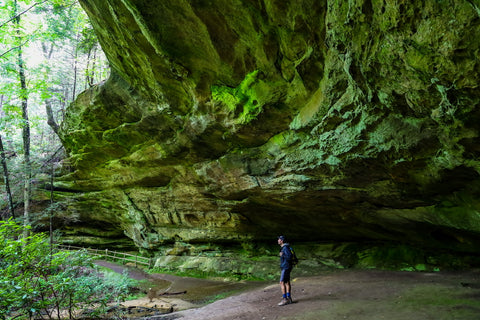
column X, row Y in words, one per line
column 25, row 130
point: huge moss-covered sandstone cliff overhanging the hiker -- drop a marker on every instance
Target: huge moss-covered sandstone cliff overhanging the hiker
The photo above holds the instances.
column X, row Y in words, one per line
column 236, row 121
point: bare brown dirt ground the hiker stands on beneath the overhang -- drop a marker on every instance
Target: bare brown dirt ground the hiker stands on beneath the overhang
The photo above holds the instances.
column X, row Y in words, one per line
column 338, row 295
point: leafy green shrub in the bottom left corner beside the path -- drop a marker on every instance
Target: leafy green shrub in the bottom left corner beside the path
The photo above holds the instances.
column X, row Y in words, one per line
column 43, row 284
